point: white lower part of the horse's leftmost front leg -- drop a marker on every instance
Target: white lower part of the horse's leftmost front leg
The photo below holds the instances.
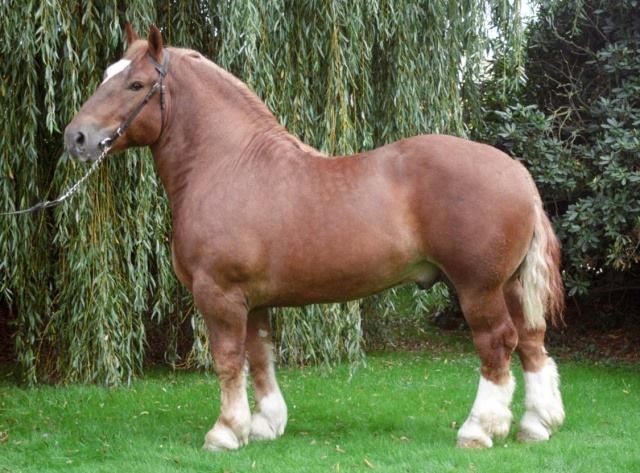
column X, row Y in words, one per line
column 234, row 434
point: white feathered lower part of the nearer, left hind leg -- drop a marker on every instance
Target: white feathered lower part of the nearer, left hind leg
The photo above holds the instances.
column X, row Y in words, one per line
column 490, row 415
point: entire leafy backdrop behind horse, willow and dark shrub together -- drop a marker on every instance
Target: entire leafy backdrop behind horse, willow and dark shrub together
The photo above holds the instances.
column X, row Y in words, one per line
column 88, row 287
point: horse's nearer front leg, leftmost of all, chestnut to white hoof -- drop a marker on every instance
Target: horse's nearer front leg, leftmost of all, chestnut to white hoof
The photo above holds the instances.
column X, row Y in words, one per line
column 225, row 314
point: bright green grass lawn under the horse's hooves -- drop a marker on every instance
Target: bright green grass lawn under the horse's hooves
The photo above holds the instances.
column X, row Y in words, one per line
column 398, row 414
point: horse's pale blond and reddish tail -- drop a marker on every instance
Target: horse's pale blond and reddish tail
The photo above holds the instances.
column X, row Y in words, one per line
column 543, row 296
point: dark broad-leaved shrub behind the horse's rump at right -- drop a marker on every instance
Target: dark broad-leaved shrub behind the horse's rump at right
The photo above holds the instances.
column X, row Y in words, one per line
column 575, row 121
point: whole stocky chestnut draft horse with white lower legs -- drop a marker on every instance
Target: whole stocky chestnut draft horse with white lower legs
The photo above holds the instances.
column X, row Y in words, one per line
column 262, row 220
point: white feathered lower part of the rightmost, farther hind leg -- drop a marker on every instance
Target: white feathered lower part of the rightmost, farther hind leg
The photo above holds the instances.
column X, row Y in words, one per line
column 543, row 402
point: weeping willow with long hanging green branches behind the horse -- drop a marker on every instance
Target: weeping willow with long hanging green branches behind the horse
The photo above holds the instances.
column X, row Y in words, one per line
column 88, row 281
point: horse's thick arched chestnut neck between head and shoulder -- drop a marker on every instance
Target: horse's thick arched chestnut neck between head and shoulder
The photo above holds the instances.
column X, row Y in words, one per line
column 214, row 122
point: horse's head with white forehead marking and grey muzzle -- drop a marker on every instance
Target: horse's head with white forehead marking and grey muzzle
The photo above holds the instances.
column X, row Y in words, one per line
column 127, row 108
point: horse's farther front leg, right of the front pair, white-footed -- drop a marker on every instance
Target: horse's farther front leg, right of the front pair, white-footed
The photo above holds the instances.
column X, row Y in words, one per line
column 270, row 416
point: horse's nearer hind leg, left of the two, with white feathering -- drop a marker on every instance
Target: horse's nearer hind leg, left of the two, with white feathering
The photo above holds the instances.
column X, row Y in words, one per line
column 495, row 338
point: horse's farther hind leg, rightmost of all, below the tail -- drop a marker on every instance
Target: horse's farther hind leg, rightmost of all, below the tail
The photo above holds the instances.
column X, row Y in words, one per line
column 543, row 402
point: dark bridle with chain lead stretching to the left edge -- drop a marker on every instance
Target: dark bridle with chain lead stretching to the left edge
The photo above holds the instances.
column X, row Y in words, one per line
column 106, row 144
